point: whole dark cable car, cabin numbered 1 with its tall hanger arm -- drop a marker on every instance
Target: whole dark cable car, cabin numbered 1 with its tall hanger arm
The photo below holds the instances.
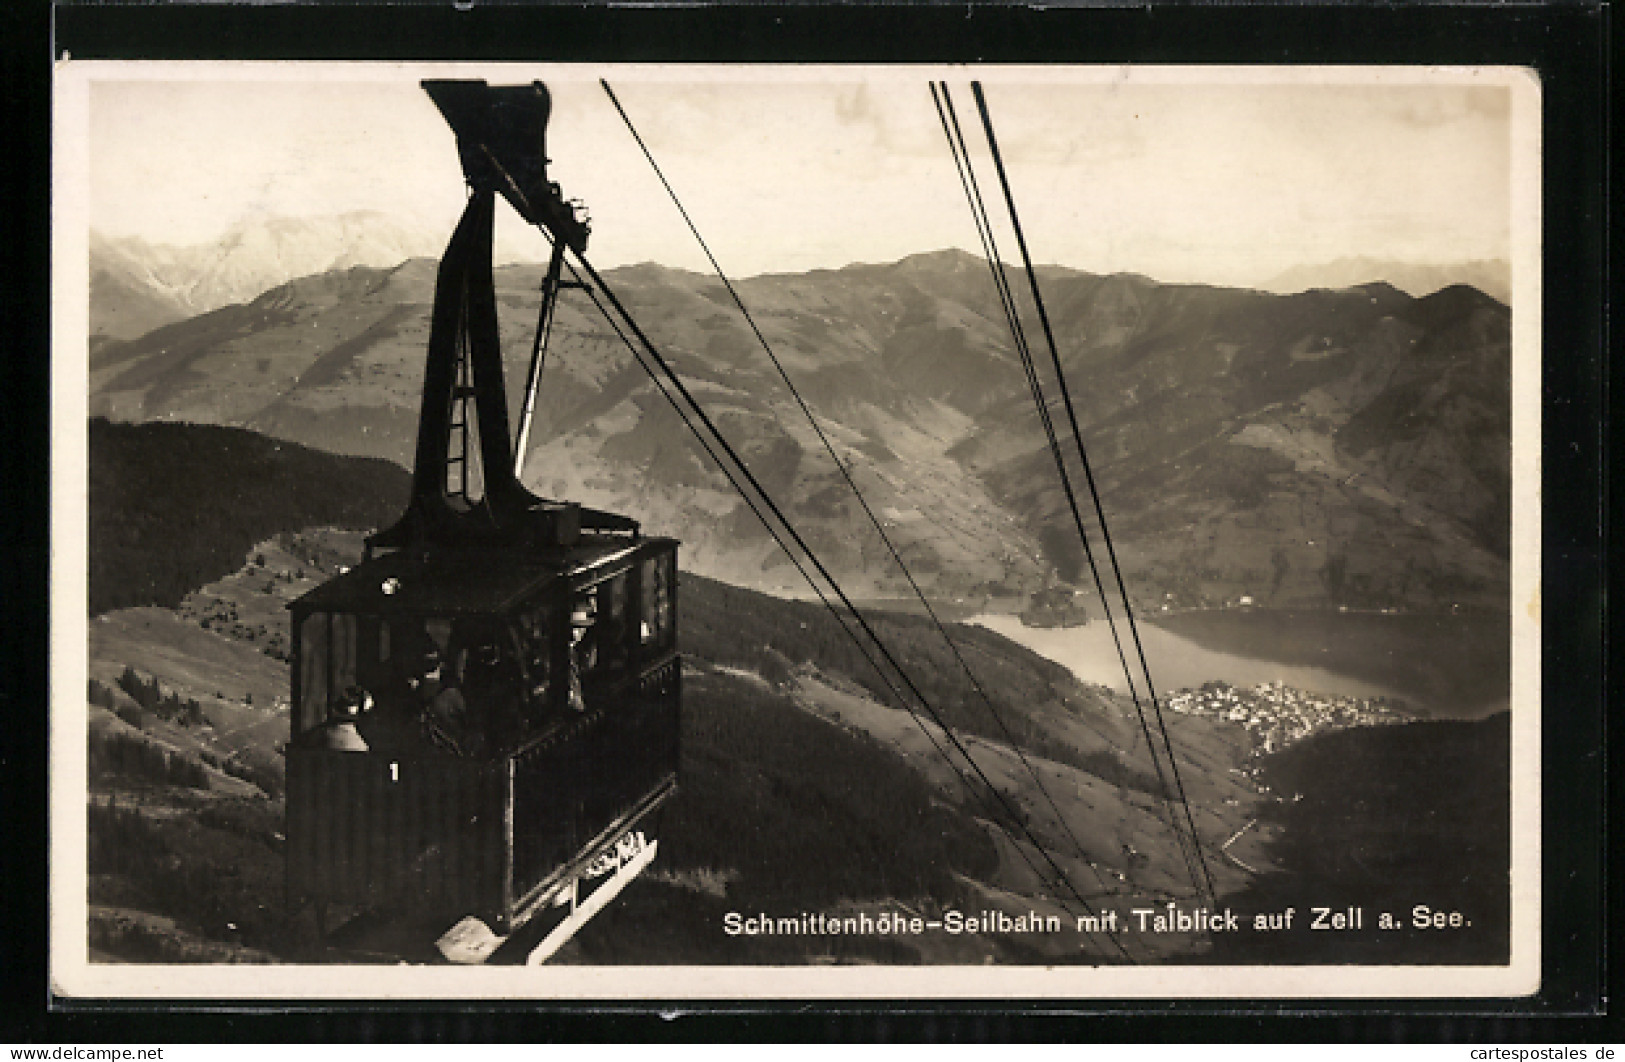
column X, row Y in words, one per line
column 490, row 701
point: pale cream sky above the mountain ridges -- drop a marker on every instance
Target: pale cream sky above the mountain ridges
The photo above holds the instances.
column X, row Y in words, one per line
column 1179, row 175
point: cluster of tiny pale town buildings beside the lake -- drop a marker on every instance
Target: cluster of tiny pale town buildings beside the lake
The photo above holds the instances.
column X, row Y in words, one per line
column 1280, row 715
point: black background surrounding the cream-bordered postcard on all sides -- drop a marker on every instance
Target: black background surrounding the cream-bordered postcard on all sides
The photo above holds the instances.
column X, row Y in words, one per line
column 1569, row 45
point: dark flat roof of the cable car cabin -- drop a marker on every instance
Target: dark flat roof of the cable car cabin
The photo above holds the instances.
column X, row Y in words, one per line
column 474, row 582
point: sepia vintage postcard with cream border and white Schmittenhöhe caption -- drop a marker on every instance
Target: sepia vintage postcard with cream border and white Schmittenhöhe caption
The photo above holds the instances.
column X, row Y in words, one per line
column 631, row 532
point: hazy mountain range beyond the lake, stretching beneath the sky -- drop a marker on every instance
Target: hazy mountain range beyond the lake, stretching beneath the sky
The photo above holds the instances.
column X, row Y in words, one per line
column 1337, row 447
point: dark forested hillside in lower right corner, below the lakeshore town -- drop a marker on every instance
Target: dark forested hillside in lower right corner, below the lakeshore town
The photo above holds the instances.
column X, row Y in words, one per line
column 1387, row 819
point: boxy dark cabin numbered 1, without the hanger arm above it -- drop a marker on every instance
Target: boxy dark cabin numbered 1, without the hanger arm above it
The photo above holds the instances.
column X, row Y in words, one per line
column 470, row 733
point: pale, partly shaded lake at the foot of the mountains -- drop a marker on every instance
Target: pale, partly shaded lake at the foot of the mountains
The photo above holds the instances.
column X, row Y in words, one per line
column 1447, row 667
